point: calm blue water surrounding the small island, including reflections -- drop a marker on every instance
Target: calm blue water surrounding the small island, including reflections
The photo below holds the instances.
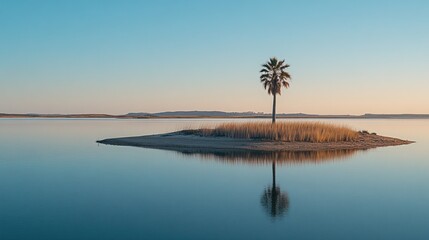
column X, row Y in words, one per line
column 56, row 182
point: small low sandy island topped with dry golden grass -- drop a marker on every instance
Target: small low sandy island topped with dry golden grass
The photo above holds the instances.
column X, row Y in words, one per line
column 262, row 136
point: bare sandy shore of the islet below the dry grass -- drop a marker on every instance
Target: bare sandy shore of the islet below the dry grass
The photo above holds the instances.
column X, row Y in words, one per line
column 188, row 142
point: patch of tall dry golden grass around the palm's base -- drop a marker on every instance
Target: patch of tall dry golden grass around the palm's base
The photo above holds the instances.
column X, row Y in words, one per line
column 283, row 131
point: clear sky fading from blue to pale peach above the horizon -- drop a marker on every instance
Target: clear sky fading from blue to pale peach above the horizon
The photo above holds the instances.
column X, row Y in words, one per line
column 149, row 56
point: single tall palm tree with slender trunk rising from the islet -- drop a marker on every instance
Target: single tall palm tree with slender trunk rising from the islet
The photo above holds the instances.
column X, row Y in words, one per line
column 274, row 77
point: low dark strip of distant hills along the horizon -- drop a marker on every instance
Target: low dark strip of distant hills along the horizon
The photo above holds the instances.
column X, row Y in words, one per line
column 215, row 114
